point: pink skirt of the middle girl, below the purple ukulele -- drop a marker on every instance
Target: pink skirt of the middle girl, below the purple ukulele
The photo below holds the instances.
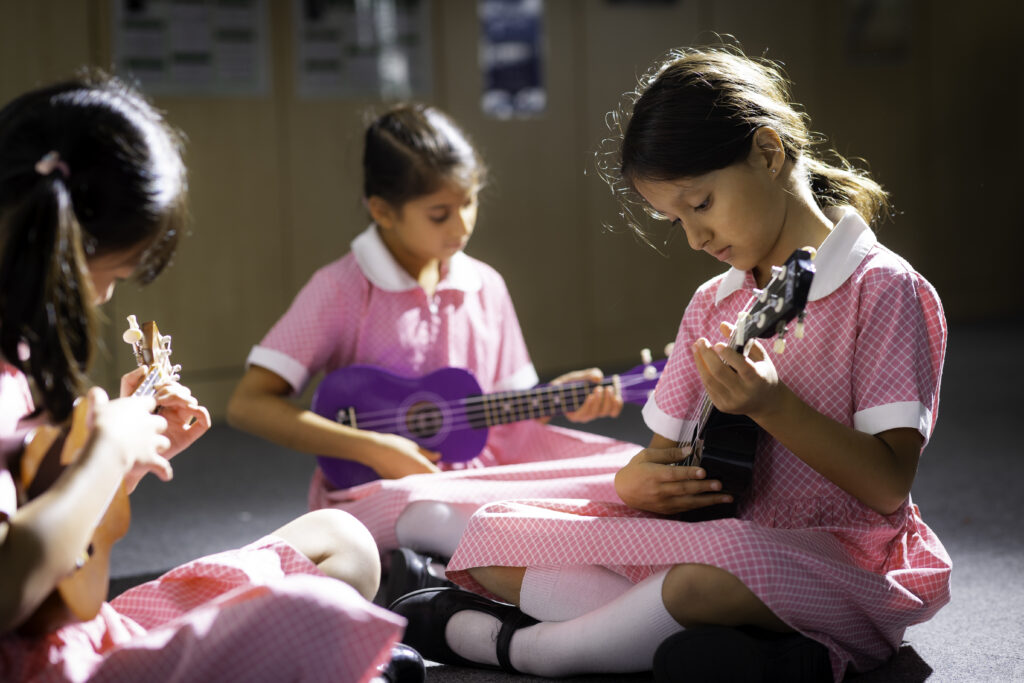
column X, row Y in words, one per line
column 524, row 460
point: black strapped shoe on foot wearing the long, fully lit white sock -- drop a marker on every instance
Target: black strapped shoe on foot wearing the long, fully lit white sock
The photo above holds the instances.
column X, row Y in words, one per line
column 429, row 613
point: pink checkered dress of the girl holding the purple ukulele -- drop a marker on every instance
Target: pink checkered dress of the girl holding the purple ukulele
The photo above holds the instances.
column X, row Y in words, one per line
column 364, row 309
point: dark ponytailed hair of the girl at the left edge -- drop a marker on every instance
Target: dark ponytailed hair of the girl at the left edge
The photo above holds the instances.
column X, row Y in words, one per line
column 119, row 185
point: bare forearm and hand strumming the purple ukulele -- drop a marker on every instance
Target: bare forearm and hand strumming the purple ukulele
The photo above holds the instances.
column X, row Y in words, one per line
column 261, row 406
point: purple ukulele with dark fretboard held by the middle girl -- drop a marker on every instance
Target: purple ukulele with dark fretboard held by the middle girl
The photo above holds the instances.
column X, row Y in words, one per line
column 446, row 411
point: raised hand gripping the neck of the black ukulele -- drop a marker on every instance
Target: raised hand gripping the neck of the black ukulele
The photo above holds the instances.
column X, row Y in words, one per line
column 738, row 385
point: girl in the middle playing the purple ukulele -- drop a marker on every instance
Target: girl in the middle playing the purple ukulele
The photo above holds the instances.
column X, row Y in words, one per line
column 407, row 298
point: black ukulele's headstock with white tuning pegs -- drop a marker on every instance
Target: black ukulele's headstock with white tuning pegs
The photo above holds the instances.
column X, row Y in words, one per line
column 783, row 300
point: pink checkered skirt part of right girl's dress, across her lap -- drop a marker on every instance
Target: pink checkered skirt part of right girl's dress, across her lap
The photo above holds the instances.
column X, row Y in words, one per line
column 854, row 587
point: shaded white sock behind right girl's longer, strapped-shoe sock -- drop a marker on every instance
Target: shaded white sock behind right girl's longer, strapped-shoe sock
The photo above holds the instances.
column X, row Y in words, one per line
column 561, row 593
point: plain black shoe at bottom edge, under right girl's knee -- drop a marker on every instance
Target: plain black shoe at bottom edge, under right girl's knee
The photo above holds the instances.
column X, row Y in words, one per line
column 744, row 655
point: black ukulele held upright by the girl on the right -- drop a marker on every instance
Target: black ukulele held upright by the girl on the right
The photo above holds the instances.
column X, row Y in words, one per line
column 726, row 445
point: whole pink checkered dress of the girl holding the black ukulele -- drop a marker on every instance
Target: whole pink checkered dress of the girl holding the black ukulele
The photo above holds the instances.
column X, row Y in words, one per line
column 822, row 561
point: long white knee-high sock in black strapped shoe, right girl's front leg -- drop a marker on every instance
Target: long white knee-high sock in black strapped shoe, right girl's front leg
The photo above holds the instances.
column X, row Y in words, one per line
column 619, row 637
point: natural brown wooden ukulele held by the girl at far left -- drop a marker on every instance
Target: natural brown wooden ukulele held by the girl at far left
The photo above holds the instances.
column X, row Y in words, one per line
column 51, row 449
